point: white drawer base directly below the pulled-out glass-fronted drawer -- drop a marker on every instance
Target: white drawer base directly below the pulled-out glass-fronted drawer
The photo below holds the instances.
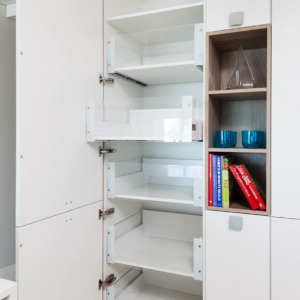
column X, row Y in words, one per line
column 159, row 193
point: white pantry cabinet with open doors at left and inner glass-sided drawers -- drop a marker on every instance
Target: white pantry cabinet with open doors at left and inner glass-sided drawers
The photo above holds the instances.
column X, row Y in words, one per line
column 99, row 76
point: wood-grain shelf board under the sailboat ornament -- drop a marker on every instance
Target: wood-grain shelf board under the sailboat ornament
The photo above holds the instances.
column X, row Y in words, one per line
column 246, row 94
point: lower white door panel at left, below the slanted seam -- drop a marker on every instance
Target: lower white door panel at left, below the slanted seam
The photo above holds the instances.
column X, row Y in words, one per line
column 61, row 257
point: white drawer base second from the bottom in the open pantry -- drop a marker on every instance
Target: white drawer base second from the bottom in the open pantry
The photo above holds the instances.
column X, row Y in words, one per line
column 159, row 254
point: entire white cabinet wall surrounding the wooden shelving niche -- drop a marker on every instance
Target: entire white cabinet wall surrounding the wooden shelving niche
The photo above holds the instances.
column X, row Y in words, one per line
column 150, row 54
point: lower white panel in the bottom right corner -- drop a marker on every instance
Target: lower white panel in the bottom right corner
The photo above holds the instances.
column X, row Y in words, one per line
column 285, row 259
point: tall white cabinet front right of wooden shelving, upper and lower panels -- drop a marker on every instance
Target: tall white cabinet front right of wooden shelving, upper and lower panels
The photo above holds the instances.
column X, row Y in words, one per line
column 285, row 124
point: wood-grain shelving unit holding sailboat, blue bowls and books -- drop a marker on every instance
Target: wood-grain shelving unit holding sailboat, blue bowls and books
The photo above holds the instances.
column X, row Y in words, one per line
column 237, row 110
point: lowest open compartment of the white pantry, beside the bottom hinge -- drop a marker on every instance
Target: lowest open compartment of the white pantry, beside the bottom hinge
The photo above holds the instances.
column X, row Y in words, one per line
column 140, row 284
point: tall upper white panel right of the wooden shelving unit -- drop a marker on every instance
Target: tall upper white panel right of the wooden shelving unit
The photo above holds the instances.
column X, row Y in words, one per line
column 285, row 109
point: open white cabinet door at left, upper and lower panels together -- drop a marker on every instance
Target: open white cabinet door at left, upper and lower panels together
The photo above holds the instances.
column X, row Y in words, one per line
column 59, row 174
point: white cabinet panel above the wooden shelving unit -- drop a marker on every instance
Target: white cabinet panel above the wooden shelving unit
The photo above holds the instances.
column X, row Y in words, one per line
column 256, row 12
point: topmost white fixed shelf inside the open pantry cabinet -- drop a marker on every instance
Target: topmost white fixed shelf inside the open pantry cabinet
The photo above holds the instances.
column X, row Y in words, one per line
column 161, row 18
